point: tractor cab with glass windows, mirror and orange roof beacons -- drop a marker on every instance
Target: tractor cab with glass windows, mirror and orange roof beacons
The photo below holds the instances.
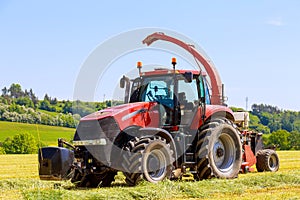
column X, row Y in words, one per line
column 178, row 93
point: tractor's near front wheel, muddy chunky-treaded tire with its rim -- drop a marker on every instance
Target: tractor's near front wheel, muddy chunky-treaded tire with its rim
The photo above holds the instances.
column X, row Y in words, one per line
column 150, row 158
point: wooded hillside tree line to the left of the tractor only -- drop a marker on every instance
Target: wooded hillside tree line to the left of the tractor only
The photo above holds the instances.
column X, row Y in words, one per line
column 17, row 105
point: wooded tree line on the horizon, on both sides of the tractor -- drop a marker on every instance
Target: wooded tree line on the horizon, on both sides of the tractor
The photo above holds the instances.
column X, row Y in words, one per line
column 280, row 127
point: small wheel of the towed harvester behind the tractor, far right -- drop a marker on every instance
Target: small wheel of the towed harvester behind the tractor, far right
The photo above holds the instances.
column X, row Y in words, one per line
column 267, row 160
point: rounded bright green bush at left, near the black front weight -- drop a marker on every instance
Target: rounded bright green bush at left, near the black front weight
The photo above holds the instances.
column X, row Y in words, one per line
column 23, row 143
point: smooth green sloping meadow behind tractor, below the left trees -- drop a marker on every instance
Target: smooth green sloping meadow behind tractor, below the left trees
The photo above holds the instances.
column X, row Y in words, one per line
column 46, row 134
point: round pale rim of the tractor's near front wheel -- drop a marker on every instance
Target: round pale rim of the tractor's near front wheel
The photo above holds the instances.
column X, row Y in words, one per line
column 156, row 165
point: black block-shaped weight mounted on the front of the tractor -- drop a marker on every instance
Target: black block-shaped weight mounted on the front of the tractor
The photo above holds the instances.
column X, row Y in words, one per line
column 55, row 163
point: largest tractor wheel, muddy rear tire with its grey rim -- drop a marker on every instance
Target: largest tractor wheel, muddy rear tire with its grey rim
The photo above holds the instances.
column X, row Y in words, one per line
column 218, row 151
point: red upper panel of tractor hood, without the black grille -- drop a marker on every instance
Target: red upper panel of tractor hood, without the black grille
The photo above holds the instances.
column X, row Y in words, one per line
column 132, row 114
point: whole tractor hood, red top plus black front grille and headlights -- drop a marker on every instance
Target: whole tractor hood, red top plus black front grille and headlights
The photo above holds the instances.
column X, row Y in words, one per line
column 98, row 131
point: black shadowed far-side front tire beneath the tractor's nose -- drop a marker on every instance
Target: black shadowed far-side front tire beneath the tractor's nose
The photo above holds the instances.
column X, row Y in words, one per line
column 94, row 180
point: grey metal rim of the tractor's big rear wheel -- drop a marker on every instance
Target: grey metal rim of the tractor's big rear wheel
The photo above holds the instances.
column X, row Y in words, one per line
column 224, row 152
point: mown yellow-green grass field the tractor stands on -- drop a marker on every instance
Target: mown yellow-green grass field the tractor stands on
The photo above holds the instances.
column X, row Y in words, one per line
column 19, row 180
